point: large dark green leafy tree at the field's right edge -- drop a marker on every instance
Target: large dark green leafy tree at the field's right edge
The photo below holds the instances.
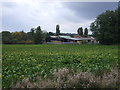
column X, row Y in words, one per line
column 105, row 27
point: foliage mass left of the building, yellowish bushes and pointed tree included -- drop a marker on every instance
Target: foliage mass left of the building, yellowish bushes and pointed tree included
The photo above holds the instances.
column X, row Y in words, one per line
column 36, row 35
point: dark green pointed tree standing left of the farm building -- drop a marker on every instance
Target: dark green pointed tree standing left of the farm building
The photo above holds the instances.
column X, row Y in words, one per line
column 38, row 35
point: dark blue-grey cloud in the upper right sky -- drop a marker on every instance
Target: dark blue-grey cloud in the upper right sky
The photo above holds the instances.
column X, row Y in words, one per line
column 89, row 10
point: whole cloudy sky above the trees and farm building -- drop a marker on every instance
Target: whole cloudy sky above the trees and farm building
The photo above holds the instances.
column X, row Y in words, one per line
column 18, row 16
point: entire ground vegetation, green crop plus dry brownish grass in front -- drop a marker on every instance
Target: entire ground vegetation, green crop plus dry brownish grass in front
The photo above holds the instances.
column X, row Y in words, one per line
column 25, row 65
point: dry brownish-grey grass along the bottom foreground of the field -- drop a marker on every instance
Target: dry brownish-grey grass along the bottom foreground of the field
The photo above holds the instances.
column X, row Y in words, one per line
column 67, row 78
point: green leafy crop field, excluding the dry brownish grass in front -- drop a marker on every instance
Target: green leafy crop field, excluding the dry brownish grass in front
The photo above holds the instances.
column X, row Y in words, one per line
column 31, row 61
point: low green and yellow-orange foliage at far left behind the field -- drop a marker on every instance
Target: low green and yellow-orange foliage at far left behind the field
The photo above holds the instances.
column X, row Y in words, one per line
column 15, row 38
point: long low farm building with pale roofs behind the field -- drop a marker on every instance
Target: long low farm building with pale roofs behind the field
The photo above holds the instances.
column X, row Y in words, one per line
column 70, row 40
